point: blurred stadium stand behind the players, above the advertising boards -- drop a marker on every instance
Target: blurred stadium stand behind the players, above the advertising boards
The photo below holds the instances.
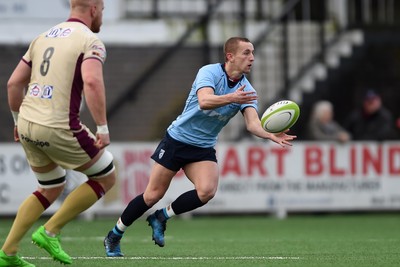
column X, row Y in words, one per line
column 304, row 48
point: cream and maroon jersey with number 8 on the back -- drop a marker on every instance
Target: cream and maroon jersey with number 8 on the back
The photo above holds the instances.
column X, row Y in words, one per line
column 54, row 94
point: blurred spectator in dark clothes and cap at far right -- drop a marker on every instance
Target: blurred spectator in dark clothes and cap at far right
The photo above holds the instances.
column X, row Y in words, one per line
column 373, row 121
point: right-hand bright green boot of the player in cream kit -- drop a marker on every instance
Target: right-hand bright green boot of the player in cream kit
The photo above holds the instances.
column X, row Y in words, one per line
column 51, row 245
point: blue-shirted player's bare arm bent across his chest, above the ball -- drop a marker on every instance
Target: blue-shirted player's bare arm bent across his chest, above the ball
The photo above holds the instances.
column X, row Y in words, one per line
column 208, row 100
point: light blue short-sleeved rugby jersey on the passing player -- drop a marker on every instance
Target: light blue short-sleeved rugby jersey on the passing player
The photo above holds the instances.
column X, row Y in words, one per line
column 201, row 127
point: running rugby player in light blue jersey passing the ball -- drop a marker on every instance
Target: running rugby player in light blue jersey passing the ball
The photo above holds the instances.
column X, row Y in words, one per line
column 218, row 93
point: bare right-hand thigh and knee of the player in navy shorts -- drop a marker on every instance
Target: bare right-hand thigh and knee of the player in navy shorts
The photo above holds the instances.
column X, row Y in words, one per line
column 203, row 174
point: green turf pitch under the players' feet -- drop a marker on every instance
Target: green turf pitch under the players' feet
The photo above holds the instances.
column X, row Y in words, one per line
column 324, row 240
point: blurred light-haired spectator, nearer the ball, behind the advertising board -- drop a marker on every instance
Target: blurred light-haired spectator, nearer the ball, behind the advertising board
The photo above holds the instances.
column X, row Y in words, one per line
column 322, row 125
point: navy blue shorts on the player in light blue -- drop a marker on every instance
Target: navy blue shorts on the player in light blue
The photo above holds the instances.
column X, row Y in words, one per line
column 173, row 154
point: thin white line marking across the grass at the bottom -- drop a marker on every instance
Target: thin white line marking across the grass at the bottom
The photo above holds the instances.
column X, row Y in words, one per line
column 175, row 258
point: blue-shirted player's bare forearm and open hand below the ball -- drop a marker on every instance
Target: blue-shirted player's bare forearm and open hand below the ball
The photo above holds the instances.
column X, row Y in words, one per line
column 253, row 125
